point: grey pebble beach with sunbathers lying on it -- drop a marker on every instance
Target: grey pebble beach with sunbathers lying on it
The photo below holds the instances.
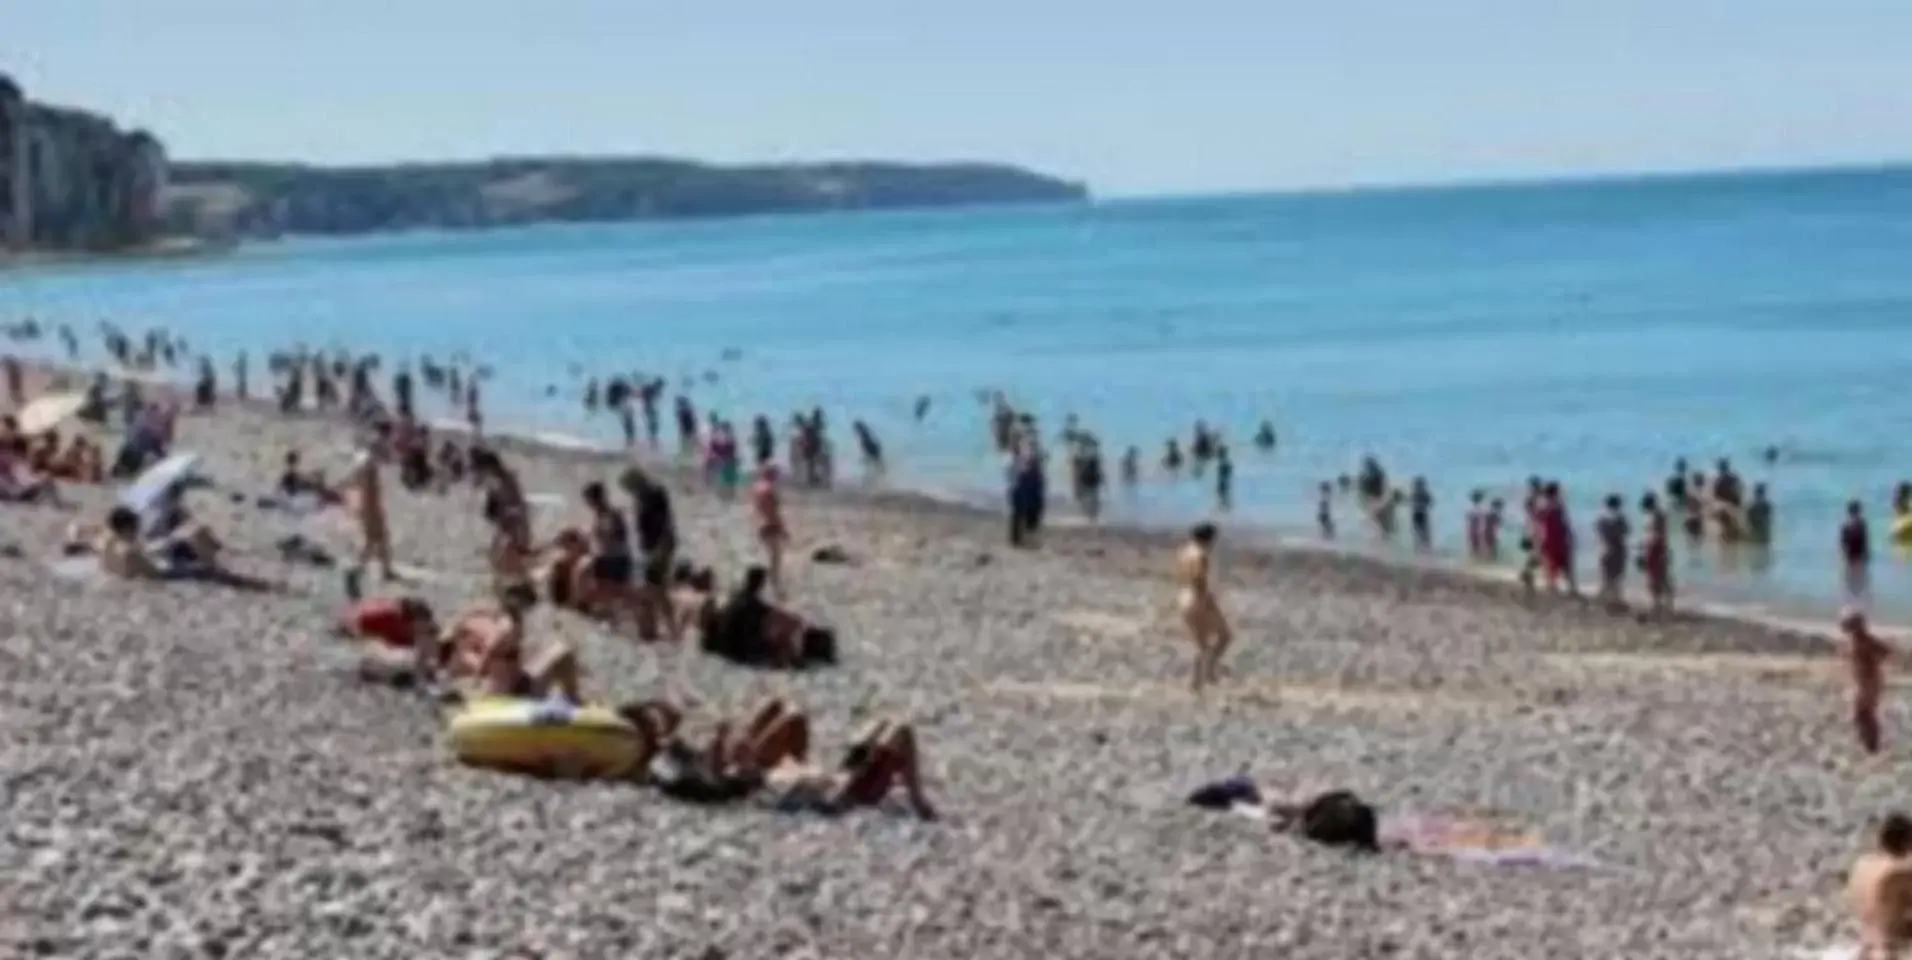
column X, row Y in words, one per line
column 188, row 772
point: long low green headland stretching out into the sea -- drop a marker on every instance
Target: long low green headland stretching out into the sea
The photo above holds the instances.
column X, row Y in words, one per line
column 267, row 200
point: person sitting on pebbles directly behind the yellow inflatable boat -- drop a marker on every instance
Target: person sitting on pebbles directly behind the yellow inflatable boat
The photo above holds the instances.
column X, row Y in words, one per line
column 485, row 651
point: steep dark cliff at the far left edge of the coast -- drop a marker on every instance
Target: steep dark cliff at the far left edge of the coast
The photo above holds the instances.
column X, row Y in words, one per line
column 72, row 181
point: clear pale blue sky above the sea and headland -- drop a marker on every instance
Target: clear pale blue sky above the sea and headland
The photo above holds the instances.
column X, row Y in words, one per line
column 1165, row 97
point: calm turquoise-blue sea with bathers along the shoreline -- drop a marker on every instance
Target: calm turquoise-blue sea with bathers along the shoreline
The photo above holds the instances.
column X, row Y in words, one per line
column 1588, row 332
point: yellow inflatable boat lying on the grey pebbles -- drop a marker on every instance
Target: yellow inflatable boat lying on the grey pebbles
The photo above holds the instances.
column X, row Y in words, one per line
column 546, row 739
